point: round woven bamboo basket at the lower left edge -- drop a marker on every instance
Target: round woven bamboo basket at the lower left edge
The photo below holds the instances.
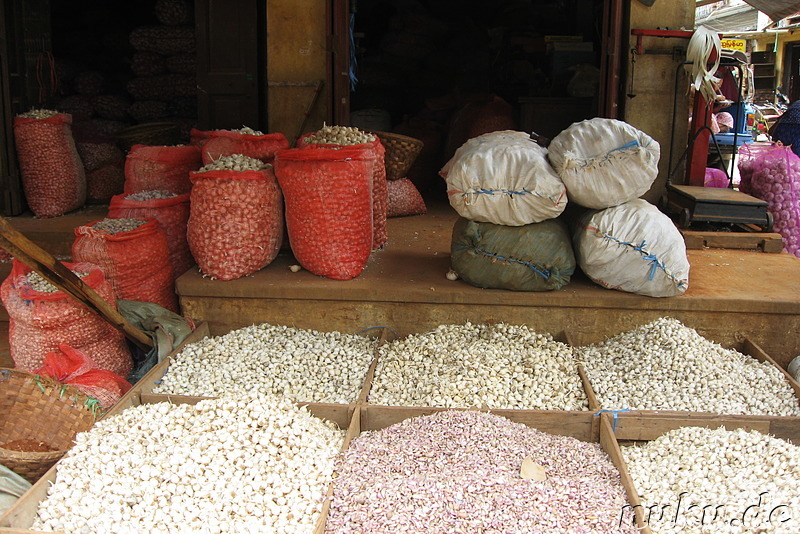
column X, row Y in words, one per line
column 39, row 410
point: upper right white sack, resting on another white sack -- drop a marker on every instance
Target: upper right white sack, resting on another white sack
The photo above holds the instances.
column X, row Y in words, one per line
column 604, row 162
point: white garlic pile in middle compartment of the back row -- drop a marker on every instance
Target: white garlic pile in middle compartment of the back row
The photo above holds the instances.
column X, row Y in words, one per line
column 483, row 366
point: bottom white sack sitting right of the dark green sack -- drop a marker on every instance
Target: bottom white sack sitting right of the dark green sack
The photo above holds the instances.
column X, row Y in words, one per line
column 632, row 247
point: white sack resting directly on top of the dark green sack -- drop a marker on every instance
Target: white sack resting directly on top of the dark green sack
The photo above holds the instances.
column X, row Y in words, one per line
column 504, row 178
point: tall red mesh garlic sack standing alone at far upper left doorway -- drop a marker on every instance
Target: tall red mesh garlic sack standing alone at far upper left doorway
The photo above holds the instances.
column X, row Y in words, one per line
column 53, row 177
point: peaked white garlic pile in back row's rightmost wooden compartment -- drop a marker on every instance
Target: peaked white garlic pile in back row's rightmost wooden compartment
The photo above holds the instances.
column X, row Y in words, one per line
column 665, row 365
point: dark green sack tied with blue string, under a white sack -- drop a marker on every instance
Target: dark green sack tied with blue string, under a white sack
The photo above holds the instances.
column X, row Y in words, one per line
column 533, row 257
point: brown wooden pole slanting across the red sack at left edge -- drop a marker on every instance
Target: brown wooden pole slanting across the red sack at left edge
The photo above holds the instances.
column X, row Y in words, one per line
column 60, row 276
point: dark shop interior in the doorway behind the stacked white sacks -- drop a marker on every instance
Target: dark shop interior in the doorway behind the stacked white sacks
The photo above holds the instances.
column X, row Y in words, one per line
column 444, row 71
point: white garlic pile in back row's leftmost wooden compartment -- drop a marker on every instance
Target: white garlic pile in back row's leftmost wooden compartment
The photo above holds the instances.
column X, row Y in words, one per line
column 300, row 364
